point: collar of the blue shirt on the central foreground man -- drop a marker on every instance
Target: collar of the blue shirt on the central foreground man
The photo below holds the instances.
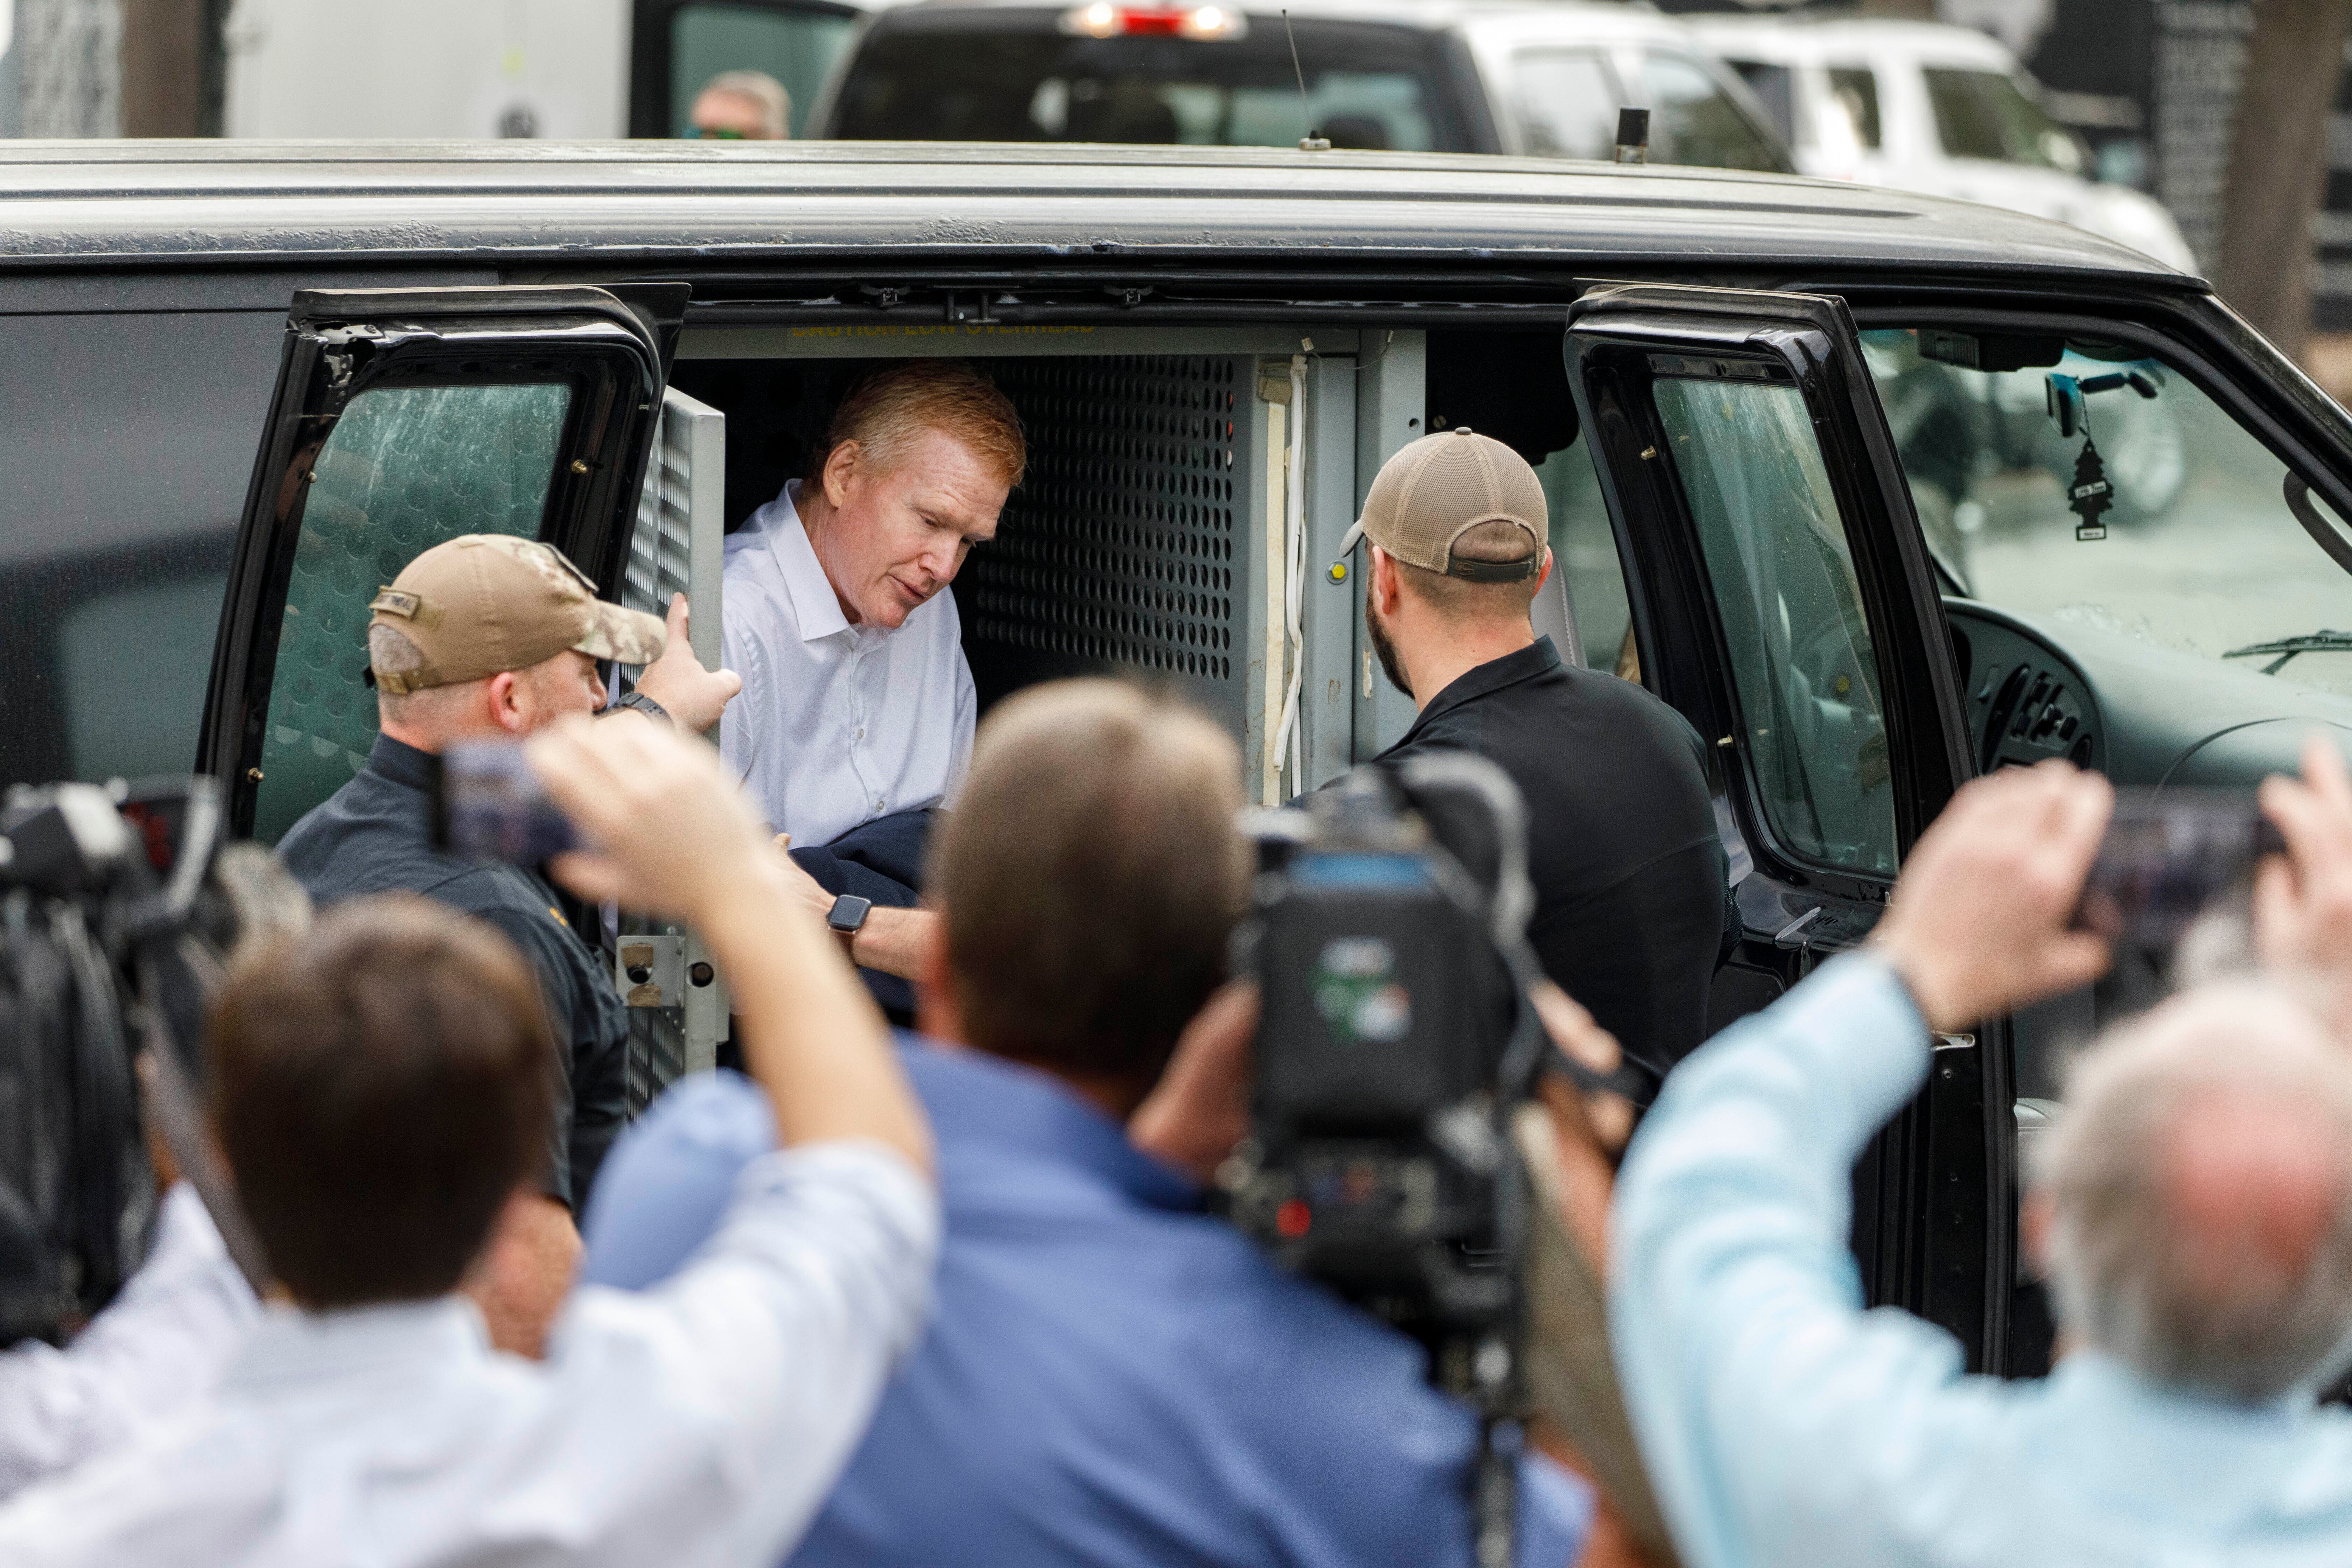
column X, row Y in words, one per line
column 984, row 1099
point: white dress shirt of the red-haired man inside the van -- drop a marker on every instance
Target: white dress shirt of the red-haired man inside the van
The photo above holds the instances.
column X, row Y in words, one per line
column 836, row 723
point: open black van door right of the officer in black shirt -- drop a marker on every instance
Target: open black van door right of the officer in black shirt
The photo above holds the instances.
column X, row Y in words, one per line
column 1786, row 605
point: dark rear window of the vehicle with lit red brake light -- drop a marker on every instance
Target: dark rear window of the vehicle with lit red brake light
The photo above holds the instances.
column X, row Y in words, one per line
column 1017, row 76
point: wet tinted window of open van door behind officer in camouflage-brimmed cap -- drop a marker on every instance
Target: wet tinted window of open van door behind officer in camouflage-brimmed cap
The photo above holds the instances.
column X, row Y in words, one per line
column 406, row 469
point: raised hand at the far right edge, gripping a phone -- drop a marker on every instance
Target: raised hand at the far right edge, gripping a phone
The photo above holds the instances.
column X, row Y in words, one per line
column 2304, row 902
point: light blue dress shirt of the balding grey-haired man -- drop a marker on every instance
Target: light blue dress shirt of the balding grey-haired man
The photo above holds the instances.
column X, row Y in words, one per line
column 1789, row 1426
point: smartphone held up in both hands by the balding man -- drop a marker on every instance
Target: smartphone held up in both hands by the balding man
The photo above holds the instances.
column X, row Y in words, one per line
column 2167, row 859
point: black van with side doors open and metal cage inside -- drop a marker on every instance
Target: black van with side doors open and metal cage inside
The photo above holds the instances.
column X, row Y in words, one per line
column 241, row 387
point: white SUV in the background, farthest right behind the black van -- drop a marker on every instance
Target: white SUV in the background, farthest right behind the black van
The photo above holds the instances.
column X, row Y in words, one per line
column 1932, row 109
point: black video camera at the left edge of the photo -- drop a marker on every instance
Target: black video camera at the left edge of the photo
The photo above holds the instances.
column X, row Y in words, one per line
column 112, row 927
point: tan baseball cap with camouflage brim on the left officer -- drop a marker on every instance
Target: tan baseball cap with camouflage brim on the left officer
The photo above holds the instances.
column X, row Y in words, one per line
column 488, row 603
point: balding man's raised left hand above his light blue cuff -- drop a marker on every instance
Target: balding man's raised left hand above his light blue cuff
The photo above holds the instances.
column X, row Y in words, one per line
column 1982, row 918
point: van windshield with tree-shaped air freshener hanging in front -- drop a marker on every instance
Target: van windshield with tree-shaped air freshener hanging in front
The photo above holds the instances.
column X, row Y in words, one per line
column 2198, row 549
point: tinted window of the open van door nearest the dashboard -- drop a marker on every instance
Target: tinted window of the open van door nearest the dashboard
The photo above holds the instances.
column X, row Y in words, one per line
column 1791, row 615
